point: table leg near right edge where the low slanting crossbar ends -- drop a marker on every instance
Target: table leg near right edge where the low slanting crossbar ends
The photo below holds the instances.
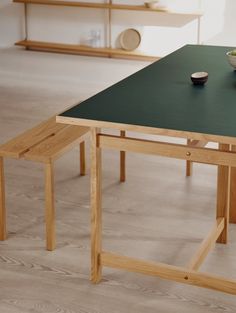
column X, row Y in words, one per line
column 223, row 195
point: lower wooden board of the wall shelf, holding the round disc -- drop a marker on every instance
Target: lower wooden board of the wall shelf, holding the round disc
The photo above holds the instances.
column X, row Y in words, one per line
column 85, row 50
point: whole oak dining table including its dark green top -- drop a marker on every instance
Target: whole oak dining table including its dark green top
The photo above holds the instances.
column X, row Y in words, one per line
column 161, row 100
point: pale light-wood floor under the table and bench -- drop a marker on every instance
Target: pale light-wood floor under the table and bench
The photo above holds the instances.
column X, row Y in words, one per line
column 158, row 214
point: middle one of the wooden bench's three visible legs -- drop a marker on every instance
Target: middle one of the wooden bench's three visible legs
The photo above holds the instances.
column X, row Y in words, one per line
column 49, row 206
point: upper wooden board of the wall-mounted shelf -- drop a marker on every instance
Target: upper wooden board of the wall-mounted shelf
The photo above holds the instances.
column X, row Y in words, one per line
column 105, row 6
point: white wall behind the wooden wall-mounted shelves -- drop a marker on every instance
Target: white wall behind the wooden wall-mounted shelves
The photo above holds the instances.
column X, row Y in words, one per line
column 160, row 34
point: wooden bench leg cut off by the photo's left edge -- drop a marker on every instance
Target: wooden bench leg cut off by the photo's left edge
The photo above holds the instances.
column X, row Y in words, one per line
column 3, row 232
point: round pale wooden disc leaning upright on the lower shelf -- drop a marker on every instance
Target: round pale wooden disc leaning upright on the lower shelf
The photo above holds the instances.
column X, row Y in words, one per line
column 130, row 39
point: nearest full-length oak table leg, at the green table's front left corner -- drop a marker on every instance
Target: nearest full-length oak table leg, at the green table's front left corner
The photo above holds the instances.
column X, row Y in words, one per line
column 96, row 210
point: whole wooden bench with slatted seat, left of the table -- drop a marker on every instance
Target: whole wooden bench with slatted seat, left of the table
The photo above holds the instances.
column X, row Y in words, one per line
column 44, row 143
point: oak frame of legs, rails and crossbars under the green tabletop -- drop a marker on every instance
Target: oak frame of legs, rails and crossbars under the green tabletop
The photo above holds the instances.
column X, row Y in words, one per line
column 224, row 158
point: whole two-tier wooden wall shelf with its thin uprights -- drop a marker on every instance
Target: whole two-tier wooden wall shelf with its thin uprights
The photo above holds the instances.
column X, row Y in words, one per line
column 87, row 50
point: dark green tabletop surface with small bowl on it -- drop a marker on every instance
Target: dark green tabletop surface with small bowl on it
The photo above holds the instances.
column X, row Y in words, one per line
column 163, row 96
